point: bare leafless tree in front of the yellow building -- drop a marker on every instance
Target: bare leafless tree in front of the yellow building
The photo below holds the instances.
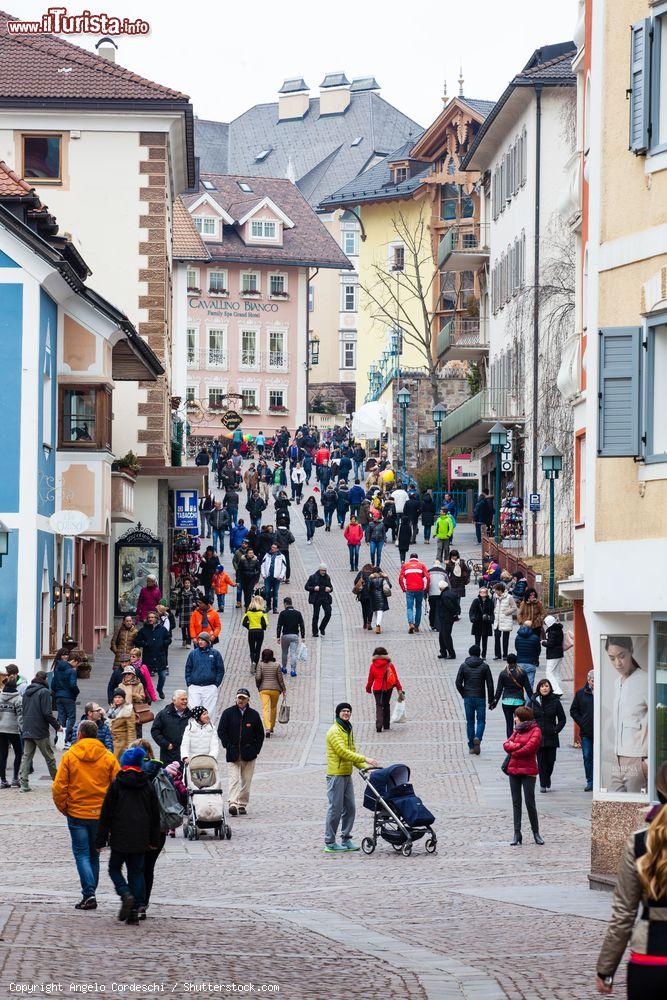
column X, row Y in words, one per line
column 402, row 299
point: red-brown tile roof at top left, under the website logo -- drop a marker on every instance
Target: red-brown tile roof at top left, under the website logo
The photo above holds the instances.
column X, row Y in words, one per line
column 47, row 67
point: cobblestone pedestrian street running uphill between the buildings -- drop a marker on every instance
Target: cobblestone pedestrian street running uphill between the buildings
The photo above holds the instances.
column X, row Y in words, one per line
column 477, row 920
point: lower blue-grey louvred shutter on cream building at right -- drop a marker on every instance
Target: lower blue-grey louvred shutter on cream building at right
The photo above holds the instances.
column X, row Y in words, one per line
column 619, row 390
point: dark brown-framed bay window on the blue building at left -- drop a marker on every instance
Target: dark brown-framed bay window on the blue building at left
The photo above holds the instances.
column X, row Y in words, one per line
column 84, row 417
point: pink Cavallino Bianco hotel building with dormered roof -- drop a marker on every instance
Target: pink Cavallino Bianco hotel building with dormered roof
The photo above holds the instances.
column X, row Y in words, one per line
column 245, row 249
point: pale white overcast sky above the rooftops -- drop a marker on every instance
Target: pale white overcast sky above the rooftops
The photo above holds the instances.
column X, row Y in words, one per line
column 229, row 56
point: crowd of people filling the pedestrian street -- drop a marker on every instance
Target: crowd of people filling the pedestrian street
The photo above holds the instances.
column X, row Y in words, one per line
column 114, row 785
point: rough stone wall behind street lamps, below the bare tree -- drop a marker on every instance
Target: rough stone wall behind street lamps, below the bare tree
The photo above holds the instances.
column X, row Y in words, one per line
column 420, row 429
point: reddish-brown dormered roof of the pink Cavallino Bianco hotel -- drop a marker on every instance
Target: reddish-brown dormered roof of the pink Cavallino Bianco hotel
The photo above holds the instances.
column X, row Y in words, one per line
column 307, row 244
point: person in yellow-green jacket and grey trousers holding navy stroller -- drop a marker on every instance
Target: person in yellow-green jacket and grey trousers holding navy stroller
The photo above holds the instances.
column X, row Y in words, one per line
column 342, row 756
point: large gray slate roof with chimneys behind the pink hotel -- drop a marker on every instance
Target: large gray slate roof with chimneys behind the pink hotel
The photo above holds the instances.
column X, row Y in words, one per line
column 320, row 149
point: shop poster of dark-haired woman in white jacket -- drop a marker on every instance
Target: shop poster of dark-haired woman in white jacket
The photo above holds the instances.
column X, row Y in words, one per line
column 624, row 713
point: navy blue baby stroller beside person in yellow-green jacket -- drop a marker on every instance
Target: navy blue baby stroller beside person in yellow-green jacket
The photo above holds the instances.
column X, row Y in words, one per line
column 399, row 816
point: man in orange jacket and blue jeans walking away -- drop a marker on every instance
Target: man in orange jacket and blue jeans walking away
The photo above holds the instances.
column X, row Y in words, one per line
column 84, row 775
